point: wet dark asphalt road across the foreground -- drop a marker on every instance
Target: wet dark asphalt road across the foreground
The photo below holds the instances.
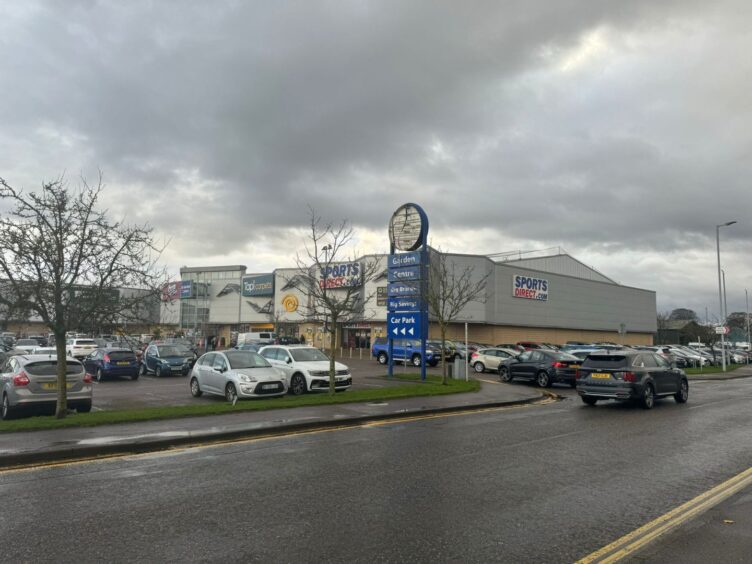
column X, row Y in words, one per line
column 536, row 484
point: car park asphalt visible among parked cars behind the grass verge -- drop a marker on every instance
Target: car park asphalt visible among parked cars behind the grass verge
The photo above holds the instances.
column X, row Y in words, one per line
column 150, row 391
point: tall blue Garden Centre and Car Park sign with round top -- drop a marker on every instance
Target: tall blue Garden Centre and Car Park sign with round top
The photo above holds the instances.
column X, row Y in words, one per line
column 407, row 311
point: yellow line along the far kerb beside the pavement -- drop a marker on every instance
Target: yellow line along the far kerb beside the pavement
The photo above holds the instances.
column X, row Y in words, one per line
column 271, row 435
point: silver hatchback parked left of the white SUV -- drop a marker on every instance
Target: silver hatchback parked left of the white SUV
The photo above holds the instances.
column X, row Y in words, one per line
column 236, row 375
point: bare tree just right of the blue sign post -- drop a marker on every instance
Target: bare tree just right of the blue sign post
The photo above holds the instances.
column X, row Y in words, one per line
column 449, row 290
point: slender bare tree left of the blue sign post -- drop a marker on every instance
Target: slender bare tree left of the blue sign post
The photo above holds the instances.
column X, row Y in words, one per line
column 332, row 281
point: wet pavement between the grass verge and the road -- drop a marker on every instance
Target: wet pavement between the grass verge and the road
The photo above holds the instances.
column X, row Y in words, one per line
column 36, row 447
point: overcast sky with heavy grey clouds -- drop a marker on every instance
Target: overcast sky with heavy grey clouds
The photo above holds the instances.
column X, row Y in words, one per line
column 619, row 131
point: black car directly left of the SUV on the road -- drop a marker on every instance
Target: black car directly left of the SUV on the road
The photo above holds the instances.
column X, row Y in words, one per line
column 542, row 366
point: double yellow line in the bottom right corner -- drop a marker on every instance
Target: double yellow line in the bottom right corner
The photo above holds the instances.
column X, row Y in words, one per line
column 639, row 538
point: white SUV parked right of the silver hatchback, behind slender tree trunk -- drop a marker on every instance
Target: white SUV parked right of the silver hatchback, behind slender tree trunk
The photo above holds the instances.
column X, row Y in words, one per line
column 306, row 368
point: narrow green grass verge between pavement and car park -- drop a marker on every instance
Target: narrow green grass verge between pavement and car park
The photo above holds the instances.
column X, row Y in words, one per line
column 214, row 406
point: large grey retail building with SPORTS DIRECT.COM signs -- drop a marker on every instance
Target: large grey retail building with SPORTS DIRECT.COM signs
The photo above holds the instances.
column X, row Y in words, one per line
column 553, row 299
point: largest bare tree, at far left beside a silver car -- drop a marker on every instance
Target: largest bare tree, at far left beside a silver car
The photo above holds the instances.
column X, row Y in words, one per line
column 63, row 260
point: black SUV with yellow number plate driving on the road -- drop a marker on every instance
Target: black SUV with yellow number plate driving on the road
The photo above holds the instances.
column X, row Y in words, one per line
column 630, row 375
